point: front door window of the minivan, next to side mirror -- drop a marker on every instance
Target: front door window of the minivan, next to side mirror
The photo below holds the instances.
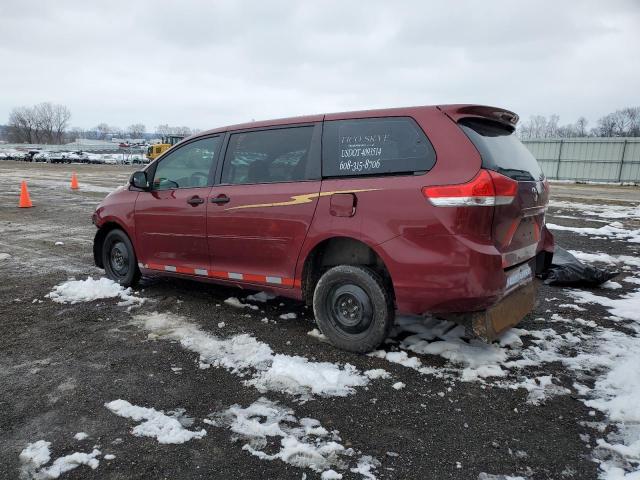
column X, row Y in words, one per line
column 188, row 166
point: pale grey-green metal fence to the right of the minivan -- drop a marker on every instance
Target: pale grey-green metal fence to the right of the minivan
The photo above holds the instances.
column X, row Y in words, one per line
column 588, row 159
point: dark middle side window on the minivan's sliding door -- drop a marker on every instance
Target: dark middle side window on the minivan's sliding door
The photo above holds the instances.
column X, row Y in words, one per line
column 267, row 156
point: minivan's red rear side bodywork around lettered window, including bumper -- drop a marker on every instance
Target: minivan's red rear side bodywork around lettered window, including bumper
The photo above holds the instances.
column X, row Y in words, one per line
column 430, row 252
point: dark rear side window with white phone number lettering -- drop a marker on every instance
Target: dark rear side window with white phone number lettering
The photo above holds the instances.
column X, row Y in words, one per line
column 375, row 146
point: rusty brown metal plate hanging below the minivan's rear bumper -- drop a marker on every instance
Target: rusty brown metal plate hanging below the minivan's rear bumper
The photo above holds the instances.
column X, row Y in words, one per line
column 489, row 324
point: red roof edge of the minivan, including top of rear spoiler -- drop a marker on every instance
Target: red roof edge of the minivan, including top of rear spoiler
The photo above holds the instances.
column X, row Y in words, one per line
column 452, row 110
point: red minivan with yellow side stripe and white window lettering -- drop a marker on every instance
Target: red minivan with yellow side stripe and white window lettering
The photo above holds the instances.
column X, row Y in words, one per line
column 435, row 209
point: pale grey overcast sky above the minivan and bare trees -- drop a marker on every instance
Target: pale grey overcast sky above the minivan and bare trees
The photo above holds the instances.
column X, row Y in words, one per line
column 211, row 63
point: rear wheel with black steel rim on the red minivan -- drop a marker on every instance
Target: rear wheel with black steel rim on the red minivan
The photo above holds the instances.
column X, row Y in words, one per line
column 353, row 308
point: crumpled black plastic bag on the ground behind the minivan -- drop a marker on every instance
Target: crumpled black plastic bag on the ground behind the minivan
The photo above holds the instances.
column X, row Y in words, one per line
column 566, row 269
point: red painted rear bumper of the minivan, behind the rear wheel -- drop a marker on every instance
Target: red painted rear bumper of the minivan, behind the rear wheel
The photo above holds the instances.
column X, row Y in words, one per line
column 443, row 274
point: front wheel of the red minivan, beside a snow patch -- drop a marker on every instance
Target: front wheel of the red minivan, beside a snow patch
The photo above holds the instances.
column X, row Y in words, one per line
column 119, row 259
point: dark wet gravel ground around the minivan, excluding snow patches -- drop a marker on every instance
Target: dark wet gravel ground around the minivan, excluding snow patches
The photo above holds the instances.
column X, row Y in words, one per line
column 60, row 363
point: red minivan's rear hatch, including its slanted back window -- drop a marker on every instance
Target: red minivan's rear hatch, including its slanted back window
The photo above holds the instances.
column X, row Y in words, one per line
column 517, row 222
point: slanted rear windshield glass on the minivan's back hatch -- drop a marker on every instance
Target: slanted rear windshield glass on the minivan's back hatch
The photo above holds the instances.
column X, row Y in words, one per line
column 501, row 150
